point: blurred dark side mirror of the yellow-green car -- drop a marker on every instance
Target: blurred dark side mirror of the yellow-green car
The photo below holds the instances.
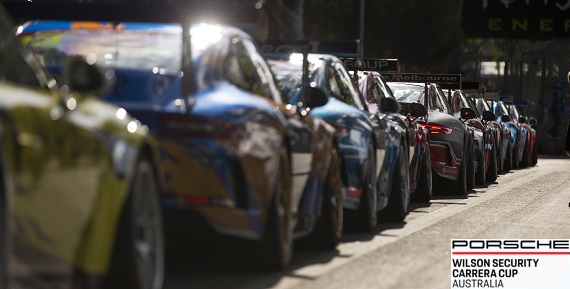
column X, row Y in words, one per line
column 83, row 77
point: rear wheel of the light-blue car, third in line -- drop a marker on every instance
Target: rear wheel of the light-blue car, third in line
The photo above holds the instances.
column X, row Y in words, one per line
column 366, row 218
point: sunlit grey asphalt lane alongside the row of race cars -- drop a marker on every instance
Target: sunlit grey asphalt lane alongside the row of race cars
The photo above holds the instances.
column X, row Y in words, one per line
column 525, row 203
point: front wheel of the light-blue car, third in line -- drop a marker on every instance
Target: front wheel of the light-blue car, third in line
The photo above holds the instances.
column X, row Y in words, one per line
column 399, row 199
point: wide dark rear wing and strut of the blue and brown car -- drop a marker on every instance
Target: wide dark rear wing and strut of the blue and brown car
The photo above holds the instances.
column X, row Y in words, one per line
column 150, row 12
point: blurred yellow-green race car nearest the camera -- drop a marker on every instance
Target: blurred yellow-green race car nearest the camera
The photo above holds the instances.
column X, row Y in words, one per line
column 79, row 198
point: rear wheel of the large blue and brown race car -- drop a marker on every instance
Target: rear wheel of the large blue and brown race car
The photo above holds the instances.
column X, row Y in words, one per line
column 277, row 243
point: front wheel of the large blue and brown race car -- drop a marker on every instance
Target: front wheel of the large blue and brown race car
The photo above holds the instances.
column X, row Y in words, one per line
column 328, row 230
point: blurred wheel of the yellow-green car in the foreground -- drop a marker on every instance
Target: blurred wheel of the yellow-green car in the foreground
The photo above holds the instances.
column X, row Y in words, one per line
column 138, row 255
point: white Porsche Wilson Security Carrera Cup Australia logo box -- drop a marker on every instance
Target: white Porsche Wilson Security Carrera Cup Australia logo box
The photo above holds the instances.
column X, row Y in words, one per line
column 510, row 263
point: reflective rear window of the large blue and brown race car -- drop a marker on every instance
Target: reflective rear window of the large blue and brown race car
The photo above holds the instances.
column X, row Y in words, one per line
column 144, row 60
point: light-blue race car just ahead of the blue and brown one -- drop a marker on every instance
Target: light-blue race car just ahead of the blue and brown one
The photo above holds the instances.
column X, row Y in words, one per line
column 374, row 149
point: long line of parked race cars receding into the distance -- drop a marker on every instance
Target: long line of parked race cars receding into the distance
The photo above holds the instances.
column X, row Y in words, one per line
column 152, row 127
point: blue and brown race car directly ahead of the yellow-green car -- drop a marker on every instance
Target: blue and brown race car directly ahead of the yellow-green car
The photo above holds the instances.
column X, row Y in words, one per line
column 234, row 155
